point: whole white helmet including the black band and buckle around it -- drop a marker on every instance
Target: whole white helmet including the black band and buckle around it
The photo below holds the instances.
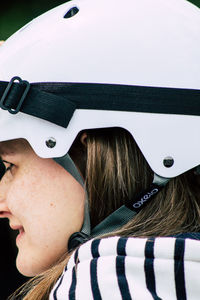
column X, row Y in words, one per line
column 107, row 63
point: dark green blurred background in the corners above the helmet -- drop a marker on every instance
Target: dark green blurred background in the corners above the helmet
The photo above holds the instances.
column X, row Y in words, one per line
column 15, row 14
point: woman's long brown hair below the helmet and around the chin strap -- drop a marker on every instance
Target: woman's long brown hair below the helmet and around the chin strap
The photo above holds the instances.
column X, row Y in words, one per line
column 115, row 169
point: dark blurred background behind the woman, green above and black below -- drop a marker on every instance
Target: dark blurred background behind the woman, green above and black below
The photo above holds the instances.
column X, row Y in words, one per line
column 13, row 15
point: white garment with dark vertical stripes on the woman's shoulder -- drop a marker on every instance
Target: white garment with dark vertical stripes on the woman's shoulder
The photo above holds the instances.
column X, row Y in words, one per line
column 117, row 268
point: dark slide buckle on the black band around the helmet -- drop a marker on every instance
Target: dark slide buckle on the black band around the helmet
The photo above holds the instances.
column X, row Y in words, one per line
column 7, row 91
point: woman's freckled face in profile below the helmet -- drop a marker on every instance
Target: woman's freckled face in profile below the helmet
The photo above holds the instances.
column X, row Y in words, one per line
column 43, row 202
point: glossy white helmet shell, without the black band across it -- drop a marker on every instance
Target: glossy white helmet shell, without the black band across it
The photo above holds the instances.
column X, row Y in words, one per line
column 139, row 42
